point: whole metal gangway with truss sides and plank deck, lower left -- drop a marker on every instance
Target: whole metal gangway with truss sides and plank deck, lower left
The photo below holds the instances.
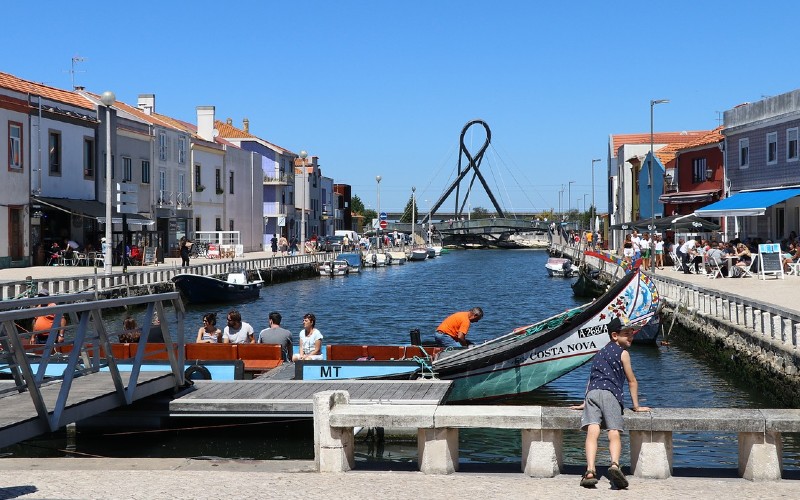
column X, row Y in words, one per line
column 44, row 387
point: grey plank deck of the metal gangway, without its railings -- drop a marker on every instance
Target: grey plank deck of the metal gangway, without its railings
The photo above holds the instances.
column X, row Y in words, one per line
column 89, row 395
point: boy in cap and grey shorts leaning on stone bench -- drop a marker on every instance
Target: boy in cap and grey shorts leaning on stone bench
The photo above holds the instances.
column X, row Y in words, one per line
column 603, row 404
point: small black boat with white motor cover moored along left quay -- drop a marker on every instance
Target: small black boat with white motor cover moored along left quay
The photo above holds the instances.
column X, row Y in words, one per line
column 236, row 287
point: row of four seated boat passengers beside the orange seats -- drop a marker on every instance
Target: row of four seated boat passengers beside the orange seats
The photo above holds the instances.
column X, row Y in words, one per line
column 237, row 331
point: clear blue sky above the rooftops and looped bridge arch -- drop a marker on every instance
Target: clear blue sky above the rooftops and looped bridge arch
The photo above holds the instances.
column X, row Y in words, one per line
column 384, row 88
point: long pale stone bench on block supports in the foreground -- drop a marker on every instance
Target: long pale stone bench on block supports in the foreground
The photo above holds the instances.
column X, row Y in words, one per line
column 760, row 453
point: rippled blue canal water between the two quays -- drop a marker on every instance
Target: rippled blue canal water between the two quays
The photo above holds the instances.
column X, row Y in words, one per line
column 381, row 306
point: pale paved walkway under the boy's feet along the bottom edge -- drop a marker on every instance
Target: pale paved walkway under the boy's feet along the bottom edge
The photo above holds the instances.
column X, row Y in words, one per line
column 153, row 479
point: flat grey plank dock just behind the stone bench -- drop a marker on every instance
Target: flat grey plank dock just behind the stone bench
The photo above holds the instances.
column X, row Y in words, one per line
column 274, row 398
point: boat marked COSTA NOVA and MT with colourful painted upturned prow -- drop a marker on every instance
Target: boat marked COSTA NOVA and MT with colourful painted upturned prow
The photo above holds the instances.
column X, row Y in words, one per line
column 517, row 362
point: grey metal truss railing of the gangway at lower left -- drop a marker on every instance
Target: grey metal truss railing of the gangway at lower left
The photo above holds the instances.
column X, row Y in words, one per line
column 85, row 347
